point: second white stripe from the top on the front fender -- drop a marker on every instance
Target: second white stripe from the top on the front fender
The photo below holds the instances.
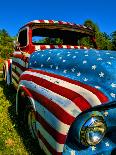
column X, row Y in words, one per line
column 62, row 101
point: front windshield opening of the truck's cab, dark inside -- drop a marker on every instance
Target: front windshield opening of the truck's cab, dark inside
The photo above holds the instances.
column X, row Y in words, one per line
column 54, row 36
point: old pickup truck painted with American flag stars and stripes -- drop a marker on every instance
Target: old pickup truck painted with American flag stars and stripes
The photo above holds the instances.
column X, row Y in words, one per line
column 66, row 92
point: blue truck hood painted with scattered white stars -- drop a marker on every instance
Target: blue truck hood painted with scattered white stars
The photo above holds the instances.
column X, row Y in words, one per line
column 96, row 68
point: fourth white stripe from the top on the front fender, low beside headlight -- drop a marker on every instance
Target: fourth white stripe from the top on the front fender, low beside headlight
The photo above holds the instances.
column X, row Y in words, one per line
column 54, row 144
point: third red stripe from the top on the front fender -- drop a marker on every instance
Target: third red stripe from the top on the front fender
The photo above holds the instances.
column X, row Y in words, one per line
column 51, row 106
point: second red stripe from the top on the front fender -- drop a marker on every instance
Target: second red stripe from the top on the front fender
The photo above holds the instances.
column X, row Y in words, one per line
column 73, row 96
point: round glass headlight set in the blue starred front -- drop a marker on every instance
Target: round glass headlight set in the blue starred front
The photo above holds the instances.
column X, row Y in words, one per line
column 93, row 131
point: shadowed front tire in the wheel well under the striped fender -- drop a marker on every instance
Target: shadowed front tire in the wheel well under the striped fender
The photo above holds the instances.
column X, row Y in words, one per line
column 27, row 117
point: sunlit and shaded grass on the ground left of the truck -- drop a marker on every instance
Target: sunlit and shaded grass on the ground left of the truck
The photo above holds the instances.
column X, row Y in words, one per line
column 14, row 140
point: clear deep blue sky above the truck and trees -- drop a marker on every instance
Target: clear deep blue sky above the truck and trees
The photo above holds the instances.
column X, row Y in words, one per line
column 15, row 13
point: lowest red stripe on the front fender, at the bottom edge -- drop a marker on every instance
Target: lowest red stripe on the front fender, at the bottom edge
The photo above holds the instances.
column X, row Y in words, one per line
column 48, row 146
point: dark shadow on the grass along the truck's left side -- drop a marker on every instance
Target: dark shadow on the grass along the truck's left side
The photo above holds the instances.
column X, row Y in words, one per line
column 31, row 146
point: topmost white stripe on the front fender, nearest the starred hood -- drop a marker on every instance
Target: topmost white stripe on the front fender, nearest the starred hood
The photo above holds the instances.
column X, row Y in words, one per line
column 88, row 95
